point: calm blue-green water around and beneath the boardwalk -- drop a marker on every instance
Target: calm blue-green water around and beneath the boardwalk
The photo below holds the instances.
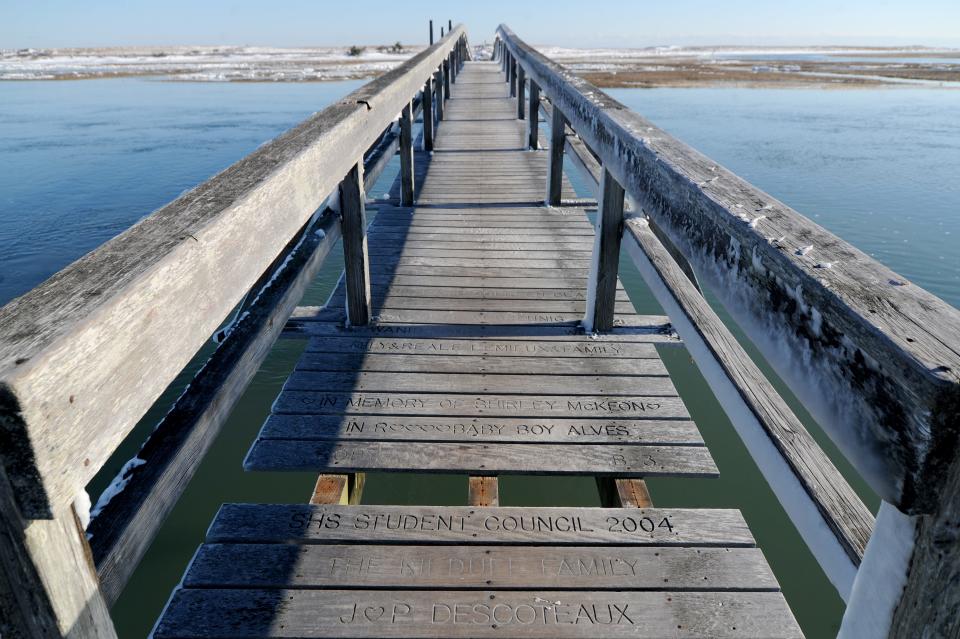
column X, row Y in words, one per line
column 81, row 161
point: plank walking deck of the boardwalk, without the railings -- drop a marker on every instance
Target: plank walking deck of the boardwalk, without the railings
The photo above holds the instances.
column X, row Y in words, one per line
column 475, row 364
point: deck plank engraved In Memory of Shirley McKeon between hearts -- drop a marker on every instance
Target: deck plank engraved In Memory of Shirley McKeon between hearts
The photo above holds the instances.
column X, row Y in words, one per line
column 476, row 405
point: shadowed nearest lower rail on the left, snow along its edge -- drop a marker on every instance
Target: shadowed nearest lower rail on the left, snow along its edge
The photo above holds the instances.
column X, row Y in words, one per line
column 123, row 530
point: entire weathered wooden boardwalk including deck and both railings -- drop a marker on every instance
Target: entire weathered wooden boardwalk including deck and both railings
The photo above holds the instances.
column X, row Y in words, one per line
column 479, row 329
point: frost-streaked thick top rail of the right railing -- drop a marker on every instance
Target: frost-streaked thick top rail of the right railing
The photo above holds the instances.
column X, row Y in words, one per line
column 891, row 347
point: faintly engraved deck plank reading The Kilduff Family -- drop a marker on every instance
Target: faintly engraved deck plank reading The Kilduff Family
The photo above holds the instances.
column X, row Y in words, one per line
column 479, row 567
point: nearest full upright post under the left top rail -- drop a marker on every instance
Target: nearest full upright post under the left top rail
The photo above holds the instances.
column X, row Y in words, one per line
column 356, row 262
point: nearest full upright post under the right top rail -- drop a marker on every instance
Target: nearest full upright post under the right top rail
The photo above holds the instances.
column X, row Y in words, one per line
column 602, row 282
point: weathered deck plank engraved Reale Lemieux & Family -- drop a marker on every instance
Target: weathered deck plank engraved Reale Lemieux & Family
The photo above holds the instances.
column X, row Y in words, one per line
column 611, row 346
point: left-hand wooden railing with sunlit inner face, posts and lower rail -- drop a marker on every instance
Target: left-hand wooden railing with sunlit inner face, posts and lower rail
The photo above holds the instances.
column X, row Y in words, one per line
column 86, row 353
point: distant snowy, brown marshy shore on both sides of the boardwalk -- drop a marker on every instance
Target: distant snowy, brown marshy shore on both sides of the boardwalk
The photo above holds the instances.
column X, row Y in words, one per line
column 605, row 67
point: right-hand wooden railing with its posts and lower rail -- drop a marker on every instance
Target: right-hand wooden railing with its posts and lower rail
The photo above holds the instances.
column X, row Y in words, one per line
column 873, row 357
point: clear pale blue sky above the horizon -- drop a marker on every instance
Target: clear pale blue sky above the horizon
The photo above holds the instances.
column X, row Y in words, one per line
column 52, row 23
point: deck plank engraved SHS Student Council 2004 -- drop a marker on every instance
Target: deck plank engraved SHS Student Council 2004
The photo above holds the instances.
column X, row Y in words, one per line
column 302, row 523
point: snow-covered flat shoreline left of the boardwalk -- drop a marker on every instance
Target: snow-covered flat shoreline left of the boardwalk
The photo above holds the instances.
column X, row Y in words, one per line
column 201, row 63
